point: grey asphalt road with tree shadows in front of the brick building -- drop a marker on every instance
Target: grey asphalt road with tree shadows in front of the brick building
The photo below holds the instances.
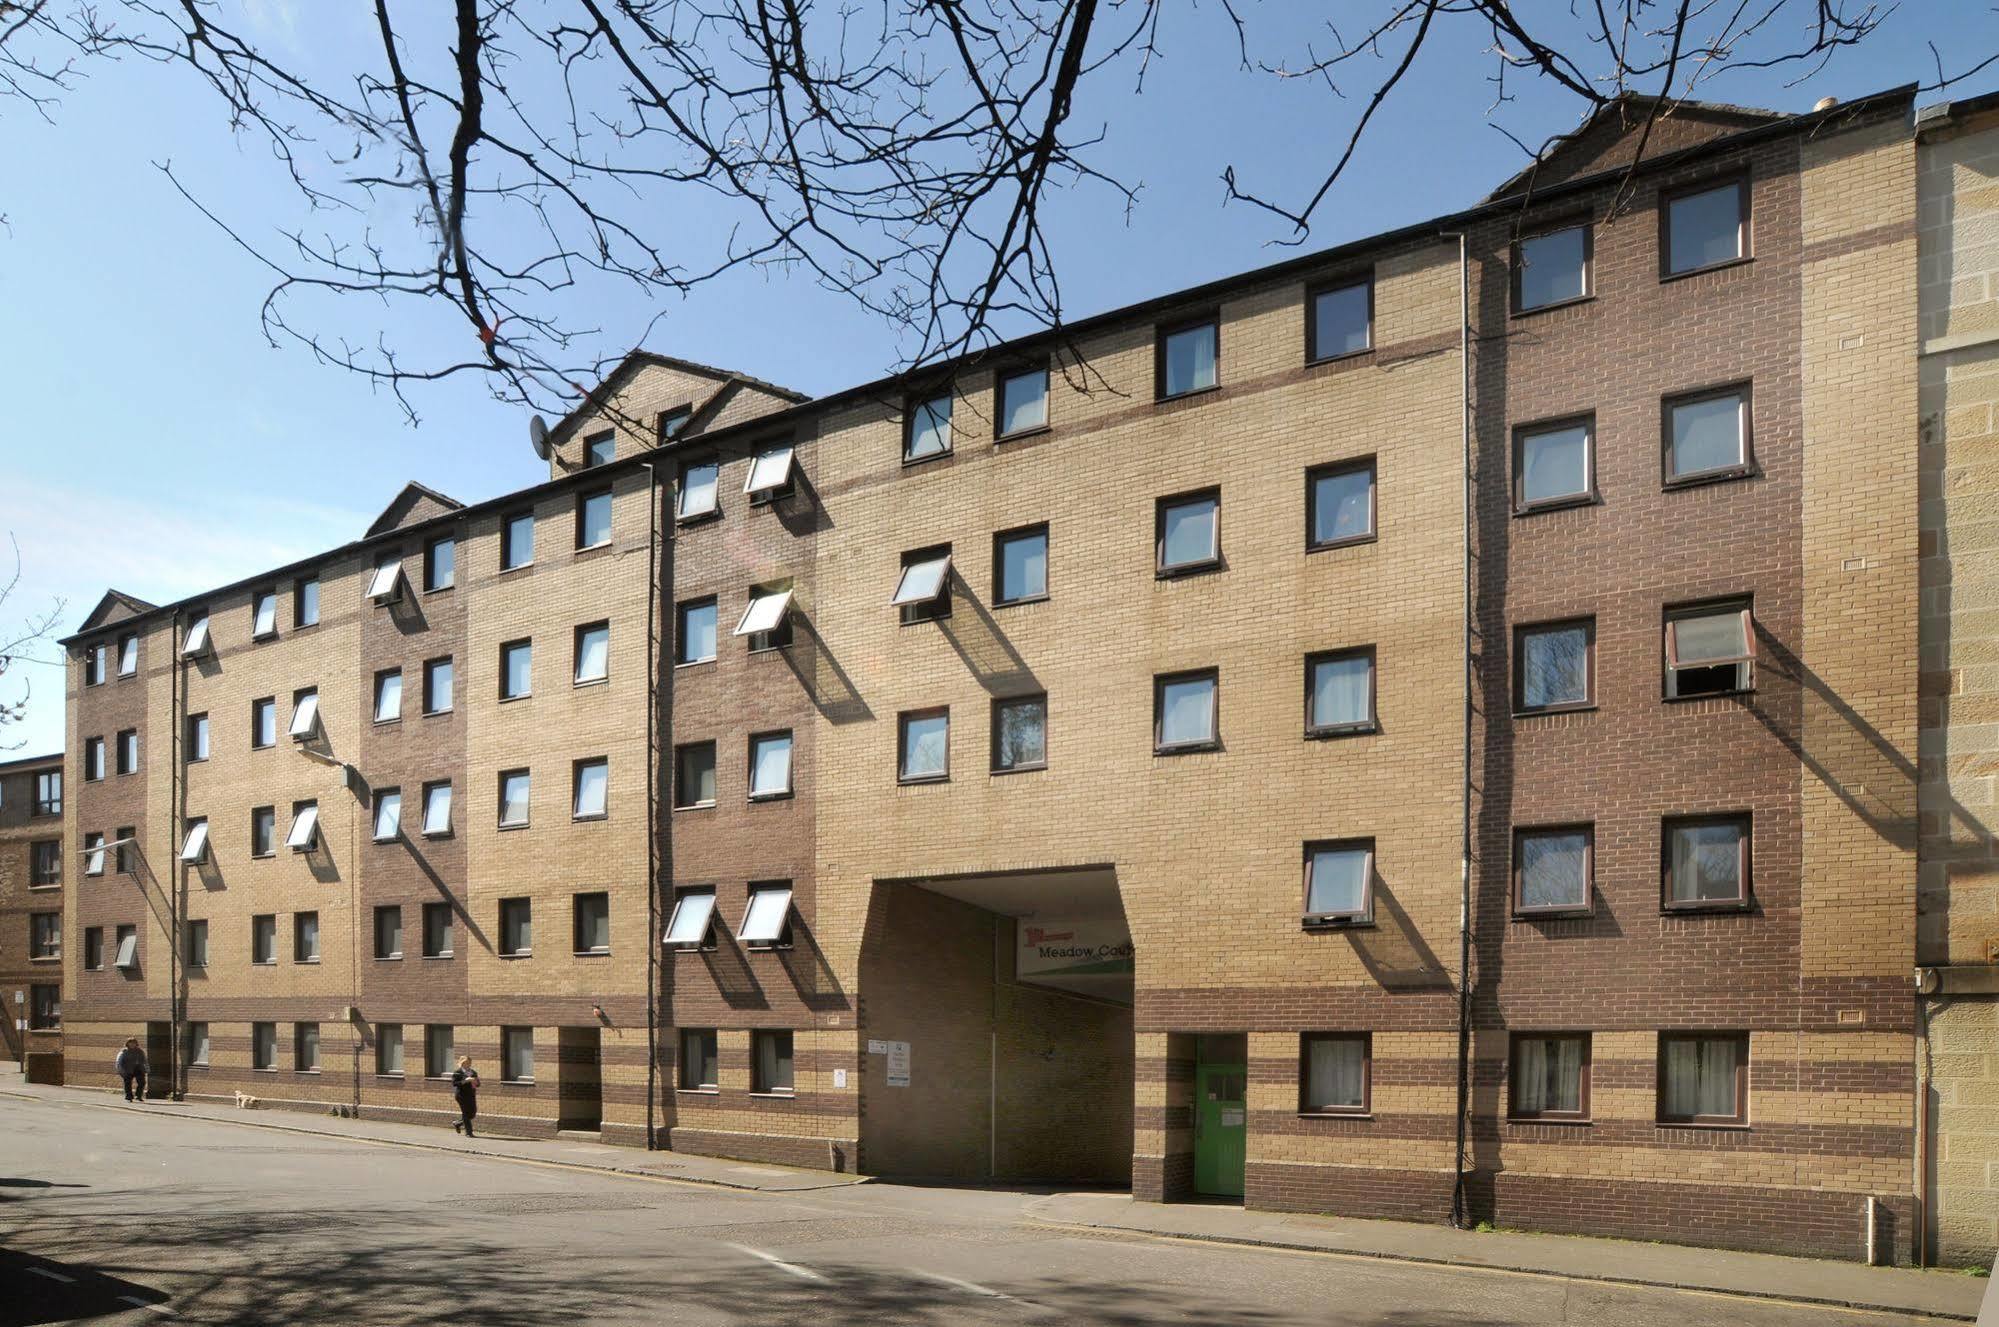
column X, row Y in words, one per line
column 143, row 1218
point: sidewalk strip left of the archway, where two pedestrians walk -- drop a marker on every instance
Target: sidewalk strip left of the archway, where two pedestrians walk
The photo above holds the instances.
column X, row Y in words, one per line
column 551, row 1152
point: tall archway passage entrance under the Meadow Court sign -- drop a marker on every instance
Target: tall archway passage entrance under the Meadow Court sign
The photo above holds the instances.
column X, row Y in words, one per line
column 997, row 1020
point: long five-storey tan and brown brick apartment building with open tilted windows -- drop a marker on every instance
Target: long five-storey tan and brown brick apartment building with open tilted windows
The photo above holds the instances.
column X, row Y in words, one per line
column 1100, row 760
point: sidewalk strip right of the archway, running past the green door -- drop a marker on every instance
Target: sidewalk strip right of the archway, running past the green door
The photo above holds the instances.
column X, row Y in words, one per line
column 1900, row 1290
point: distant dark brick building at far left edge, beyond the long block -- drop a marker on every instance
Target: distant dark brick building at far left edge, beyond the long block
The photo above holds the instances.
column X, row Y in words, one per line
column 31, row 912
